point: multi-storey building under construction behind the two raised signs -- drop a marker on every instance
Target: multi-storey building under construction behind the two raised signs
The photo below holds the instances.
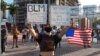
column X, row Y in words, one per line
column 22, row 8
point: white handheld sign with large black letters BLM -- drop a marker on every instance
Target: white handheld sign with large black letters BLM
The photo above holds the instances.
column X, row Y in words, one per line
column 37, row 13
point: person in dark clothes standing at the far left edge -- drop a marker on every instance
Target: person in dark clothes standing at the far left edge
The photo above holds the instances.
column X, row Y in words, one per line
column 3, row 38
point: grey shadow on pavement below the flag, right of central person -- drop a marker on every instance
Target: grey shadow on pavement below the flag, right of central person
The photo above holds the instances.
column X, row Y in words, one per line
column 67, row 48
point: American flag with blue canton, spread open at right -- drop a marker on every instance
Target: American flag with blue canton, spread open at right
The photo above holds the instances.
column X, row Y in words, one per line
column 80, row 37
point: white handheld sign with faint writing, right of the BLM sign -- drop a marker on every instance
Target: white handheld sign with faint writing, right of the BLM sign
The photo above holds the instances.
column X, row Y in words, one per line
column 59, row 16
